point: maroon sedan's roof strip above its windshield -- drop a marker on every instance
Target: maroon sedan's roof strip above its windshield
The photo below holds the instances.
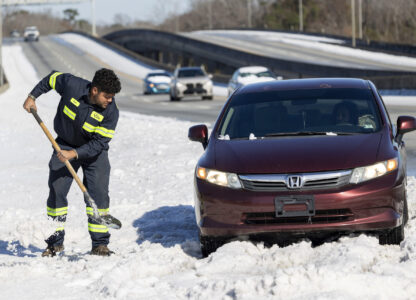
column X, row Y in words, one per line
column 315, row 83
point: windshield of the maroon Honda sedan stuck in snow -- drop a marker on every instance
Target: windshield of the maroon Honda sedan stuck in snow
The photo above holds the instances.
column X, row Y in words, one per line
column 300, row 112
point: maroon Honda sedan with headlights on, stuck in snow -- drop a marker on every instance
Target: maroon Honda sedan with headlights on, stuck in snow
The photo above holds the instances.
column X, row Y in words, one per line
column 302, row 158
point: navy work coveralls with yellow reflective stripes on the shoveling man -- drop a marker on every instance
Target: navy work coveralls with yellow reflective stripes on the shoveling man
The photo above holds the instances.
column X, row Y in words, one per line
column 88, row 129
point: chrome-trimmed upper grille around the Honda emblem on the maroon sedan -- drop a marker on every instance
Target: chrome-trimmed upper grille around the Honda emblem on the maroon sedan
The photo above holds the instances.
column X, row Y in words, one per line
column 279, row 182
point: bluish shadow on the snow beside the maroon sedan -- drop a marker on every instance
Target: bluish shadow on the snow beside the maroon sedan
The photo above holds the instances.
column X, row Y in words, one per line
column 170, row 226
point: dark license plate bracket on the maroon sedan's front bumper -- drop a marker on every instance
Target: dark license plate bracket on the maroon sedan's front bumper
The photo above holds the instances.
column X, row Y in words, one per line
column 294, row 206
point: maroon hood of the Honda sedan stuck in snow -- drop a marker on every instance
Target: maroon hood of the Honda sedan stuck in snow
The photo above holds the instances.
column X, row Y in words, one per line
column 296, row 154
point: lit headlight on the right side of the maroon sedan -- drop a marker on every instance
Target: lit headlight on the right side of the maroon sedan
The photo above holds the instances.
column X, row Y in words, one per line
column 362, row 174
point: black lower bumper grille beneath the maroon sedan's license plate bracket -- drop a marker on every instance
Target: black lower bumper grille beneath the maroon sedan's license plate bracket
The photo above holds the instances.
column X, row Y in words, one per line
column 320, row 217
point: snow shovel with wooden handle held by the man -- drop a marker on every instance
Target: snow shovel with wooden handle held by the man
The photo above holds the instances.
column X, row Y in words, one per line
column 106, row 220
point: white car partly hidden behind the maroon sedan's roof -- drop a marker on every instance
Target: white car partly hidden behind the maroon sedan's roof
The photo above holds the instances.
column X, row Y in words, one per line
column 252, row 74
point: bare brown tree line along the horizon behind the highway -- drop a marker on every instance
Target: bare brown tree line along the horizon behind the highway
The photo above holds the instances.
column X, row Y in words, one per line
column 382, row 20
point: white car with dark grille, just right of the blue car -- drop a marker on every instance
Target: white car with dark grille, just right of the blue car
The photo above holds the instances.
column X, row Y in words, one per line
column 191, row 81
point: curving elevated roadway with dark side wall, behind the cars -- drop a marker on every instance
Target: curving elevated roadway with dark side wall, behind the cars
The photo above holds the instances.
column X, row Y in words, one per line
column 222, row 57
